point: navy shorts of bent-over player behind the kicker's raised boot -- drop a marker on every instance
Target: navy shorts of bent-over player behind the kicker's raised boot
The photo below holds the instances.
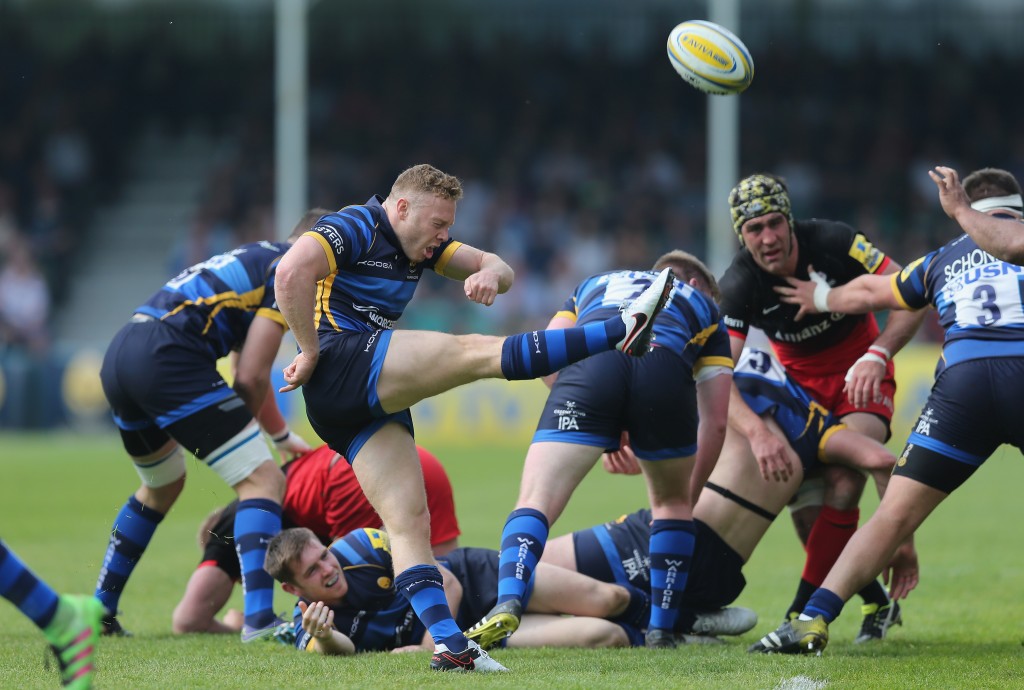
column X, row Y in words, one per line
column 654, row 399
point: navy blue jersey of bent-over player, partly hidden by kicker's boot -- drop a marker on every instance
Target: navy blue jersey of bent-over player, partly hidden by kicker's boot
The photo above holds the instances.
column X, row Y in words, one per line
column 690, row 326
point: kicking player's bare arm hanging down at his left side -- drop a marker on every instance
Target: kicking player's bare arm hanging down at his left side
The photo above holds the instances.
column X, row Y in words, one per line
column 300, row 272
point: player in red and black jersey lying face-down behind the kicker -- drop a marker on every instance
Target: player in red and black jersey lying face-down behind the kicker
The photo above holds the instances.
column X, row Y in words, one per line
column 321, row 494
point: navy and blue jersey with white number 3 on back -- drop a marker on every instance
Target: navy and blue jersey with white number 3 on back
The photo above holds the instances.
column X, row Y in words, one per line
column 980, row 300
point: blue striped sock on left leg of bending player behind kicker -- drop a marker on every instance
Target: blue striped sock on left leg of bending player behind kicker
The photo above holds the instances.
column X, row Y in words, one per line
column 132, row 534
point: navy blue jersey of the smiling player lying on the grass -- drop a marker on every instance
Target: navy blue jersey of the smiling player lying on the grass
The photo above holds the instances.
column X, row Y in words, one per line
column 372, row 614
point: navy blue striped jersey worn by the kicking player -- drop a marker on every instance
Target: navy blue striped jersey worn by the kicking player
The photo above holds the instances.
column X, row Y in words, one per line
column 371, row 280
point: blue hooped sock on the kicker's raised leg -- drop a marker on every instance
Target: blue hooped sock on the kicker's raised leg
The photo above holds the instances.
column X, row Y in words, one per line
column 530, row 356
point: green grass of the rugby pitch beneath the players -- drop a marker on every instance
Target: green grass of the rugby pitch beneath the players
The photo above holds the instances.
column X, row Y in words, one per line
column 964, row 625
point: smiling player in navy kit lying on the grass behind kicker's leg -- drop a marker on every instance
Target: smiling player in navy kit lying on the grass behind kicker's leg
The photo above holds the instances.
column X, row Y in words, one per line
column 351, row 587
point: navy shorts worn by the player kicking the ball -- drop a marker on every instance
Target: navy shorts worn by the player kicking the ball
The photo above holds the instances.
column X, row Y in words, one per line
column 342, row 397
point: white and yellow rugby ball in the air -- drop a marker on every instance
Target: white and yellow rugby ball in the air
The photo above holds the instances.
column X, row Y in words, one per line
column 710, row 58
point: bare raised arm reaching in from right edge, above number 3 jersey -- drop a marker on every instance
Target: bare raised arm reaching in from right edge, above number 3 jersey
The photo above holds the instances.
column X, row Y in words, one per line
column 1003, row 238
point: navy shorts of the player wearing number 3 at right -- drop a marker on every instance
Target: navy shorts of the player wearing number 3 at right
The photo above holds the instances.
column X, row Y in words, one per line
column 974, row 408
